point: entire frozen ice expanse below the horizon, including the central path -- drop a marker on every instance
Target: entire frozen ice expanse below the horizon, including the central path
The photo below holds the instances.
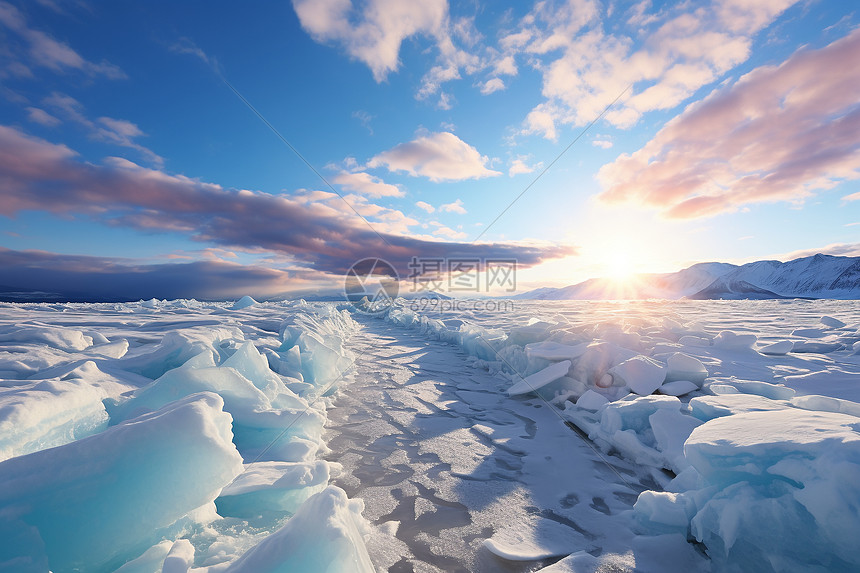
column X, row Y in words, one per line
column 545, row 436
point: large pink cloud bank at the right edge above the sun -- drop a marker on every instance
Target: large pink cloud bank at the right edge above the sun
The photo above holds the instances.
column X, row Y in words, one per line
column 780, row 133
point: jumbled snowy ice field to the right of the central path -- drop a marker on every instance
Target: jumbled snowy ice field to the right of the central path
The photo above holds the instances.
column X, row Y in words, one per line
column 755, row 413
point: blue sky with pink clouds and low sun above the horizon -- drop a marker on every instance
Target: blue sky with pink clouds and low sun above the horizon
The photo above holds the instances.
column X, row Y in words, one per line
column 209, row 149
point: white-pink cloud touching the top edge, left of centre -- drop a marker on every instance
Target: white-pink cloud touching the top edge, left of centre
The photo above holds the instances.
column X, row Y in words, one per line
column 374, row 32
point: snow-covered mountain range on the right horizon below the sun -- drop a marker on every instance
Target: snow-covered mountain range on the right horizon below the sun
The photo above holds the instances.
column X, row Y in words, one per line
column 818, row 276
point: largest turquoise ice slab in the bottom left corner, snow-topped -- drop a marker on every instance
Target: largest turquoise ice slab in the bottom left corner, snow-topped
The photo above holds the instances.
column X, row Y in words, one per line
column 95, row 503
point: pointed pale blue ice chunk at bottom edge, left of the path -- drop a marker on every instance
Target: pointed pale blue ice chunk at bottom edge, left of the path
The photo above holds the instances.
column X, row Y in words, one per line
column 325, row 534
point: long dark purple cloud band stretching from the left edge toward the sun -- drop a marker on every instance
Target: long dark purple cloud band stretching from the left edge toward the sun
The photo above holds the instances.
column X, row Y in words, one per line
column 315, row 228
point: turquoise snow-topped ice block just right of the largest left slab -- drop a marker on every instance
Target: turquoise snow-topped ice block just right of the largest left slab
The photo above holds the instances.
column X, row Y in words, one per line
column 272, row 487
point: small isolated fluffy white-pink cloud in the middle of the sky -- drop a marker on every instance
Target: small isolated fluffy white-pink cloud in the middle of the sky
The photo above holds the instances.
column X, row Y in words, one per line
column 438, row 156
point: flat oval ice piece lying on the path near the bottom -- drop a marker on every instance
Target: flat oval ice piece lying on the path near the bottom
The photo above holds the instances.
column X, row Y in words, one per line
column 535, row 541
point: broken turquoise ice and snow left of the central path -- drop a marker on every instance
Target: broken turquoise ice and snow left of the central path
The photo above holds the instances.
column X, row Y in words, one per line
column 134, row 417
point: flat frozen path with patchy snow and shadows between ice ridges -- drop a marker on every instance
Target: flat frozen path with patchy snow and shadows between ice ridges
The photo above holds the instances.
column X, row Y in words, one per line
column 430, row 442
